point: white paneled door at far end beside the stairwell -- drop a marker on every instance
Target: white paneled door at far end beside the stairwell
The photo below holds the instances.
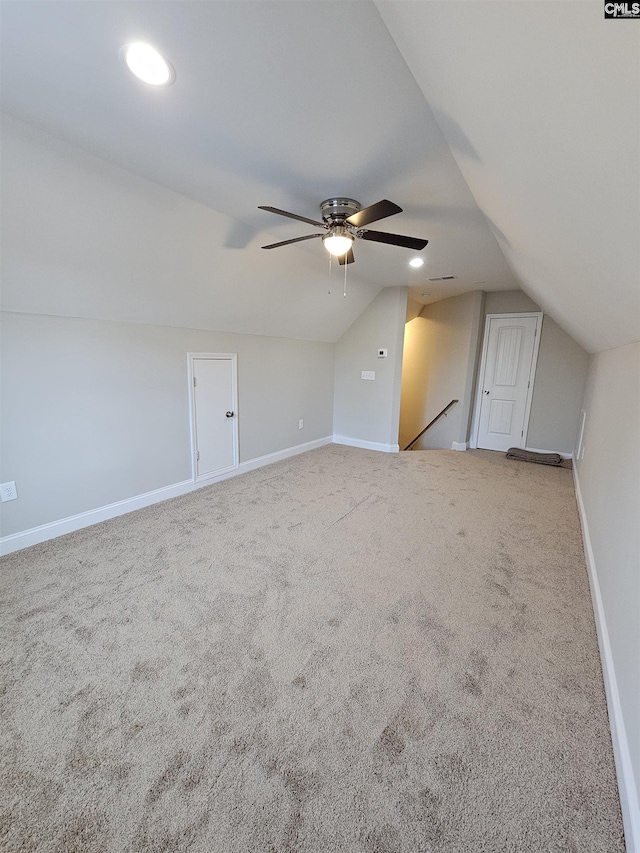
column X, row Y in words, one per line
column 507, row 381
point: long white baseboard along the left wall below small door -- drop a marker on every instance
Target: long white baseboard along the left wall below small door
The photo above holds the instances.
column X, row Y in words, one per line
column 35, row 535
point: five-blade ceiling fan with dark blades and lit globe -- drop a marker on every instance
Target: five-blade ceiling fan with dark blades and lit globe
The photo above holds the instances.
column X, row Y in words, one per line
column 344, row 219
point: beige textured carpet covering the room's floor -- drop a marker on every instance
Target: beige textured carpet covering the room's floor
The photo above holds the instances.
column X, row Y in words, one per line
column 345, row 651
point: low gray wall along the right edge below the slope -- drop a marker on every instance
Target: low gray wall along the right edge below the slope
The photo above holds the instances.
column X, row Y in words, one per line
column 609, row 479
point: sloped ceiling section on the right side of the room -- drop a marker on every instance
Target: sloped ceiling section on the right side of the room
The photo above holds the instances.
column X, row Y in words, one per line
column 540, row 105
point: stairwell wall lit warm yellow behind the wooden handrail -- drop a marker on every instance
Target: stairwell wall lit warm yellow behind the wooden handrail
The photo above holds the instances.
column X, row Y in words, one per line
column 439, row 364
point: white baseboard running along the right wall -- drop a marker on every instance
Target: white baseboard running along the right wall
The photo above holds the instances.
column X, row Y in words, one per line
column 627, row 784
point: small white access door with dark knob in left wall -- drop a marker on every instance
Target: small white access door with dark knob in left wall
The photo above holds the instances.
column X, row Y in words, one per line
column 214, row 415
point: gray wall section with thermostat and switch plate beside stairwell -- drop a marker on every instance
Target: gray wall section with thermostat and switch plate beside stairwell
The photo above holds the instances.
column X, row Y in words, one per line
column 370, row 410
